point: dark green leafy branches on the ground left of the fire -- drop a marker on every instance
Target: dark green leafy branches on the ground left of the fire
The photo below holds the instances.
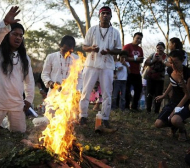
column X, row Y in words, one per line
column 25, row 158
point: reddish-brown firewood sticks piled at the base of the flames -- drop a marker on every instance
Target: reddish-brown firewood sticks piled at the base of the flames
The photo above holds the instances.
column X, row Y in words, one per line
column 73, row 160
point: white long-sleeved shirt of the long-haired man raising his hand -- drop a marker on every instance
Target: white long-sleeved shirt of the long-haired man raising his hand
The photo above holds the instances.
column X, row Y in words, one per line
column 14, row 85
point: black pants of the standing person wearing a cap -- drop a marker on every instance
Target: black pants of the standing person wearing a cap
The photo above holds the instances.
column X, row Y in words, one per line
column 154, row 88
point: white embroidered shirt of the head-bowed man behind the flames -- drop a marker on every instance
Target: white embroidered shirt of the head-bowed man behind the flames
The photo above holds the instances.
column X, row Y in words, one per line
column 56, row 68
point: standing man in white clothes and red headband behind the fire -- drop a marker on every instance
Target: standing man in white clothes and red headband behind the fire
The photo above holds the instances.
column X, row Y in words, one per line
column 102, row 42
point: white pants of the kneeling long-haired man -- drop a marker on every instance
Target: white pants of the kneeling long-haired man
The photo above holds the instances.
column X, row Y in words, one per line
column 16, row 119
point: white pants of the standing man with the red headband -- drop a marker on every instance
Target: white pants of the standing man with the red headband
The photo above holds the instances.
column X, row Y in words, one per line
column 90, row 76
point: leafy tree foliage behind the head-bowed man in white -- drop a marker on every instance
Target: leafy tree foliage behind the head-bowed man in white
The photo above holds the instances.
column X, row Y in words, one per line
column 39, row 43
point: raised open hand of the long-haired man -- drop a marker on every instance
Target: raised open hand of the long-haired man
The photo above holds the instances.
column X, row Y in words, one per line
column 10, row 16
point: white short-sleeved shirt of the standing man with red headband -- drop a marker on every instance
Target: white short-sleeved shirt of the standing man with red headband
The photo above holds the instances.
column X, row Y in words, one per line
column 111, row 41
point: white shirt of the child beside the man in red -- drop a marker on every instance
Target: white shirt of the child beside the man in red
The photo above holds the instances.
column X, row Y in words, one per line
column 122, row 74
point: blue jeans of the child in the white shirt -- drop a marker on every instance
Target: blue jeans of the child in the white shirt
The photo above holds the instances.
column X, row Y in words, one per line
column 119, row 86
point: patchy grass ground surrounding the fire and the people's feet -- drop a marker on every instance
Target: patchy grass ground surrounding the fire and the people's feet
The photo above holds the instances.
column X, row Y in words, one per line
column 136, row 144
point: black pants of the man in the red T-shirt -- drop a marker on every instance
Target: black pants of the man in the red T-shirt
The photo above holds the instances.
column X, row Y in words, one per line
column 134, row 80
